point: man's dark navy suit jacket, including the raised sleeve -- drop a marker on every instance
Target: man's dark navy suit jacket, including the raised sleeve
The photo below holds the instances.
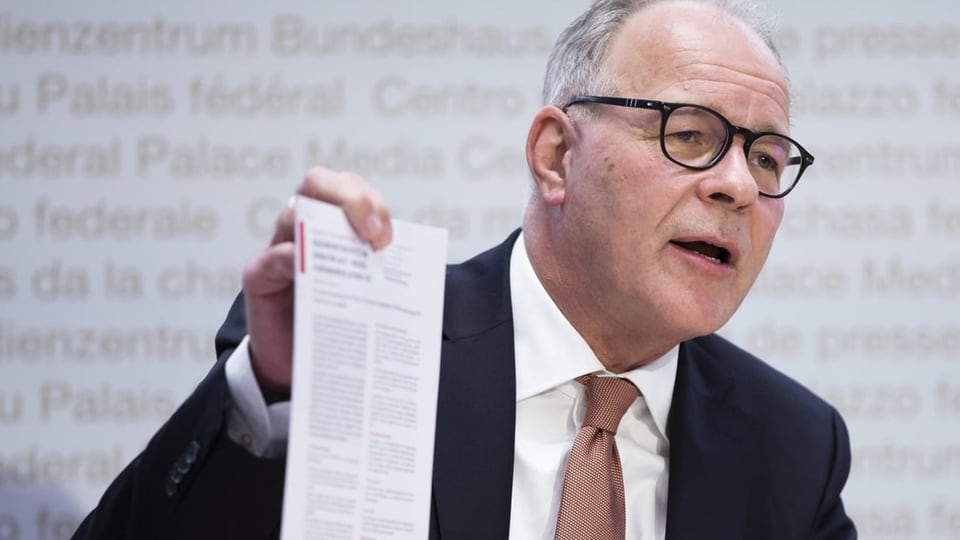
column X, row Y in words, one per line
column 753, row 455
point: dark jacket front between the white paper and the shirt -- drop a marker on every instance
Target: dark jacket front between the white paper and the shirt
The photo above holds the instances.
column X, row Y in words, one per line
column 476, row 411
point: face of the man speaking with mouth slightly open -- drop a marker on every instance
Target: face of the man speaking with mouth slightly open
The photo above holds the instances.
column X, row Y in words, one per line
column 643, row 224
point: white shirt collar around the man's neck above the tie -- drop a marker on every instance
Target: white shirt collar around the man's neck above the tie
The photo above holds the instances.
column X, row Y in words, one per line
column 550, row 352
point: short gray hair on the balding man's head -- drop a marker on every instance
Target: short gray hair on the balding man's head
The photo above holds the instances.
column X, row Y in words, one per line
column 576, row 62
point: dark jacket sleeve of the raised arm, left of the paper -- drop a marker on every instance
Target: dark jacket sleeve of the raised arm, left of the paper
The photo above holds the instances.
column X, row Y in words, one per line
column 191, row 480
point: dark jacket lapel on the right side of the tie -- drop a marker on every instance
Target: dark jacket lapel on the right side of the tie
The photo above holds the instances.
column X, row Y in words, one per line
column 708, row 467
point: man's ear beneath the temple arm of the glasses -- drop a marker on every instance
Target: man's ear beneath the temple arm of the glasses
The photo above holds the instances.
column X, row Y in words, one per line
column 548, row 142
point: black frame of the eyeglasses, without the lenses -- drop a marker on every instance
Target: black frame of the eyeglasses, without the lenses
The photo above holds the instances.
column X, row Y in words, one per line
column 666, row 108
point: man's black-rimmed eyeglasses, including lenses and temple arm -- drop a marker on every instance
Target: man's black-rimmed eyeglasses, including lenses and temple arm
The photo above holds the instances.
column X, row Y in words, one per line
column 697, row 138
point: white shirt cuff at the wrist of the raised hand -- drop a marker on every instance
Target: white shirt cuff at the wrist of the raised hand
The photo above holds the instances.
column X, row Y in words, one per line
column 260, row 428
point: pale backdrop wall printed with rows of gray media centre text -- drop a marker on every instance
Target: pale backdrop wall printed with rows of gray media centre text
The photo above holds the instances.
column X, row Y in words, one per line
column 145, row 149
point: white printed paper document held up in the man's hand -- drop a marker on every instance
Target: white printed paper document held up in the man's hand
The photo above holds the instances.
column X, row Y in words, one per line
column 367, row 332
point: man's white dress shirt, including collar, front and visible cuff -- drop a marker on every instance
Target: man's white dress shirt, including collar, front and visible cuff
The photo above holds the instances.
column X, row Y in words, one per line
column 550, row 406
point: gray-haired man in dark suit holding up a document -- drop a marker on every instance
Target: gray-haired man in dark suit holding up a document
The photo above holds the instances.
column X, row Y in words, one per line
column 652, row 214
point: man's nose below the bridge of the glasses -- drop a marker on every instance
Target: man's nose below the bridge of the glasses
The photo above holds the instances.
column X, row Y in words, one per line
column 730, row 182
